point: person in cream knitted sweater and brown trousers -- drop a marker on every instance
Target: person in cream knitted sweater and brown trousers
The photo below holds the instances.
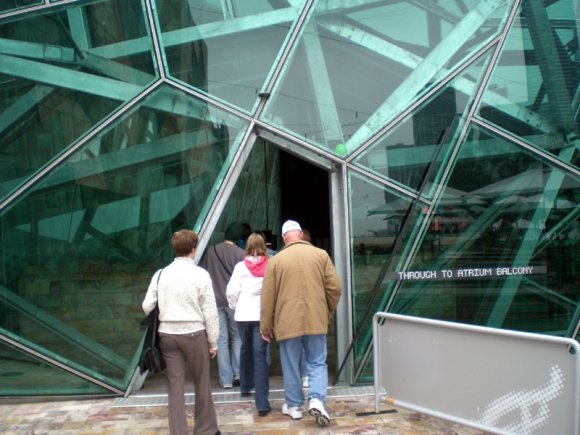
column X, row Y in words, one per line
column 188, row 332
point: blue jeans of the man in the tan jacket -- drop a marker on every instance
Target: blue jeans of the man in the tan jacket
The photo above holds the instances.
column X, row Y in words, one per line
column 314, row 348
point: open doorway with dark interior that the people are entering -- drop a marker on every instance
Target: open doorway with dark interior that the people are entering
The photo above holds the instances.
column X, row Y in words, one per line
column 274, row 186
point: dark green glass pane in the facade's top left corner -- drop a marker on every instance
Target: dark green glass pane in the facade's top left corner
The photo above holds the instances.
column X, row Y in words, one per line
column 58, row 85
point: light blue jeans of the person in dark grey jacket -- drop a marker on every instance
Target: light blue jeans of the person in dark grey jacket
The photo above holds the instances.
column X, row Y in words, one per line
column 229, row 344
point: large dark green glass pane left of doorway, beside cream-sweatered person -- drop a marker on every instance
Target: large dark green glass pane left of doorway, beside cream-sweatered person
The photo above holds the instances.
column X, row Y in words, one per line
column 80, row 248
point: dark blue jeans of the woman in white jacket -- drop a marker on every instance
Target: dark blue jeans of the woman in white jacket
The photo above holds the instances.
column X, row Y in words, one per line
column 254, row 364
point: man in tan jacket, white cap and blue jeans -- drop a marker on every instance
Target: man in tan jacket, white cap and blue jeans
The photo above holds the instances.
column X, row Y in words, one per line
column 300, row 292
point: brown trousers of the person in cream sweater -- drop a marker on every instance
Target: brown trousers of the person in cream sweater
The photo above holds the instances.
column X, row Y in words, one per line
column 180, row 353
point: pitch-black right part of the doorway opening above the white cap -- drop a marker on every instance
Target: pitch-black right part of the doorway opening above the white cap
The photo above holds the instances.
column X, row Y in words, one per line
column 305, row 197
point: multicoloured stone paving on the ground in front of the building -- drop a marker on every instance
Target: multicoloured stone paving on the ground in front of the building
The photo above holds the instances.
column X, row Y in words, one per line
column 350, row 415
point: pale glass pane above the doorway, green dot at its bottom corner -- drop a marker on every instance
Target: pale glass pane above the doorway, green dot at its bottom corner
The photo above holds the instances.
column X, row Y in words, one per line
column 357, row 68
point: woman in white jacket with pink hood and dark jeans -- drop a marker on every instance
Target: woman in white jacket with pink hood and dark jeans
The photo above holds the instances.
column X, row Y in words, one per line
column 243, row 293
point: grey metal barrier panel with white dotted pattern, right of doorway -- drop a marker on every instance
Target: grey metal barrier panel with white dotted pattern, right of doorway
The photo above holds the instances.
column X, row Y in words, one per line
column 500, row 381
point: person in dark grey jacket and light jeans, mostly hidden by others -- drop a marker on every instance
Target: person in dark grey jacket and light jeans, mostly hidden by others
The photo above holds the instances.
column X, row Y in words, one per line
column 219, row 260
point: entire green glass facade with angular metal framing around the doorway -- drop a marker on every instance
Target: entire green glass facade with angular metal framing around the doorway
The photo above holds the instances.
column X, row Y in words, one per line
column 432, row 147
